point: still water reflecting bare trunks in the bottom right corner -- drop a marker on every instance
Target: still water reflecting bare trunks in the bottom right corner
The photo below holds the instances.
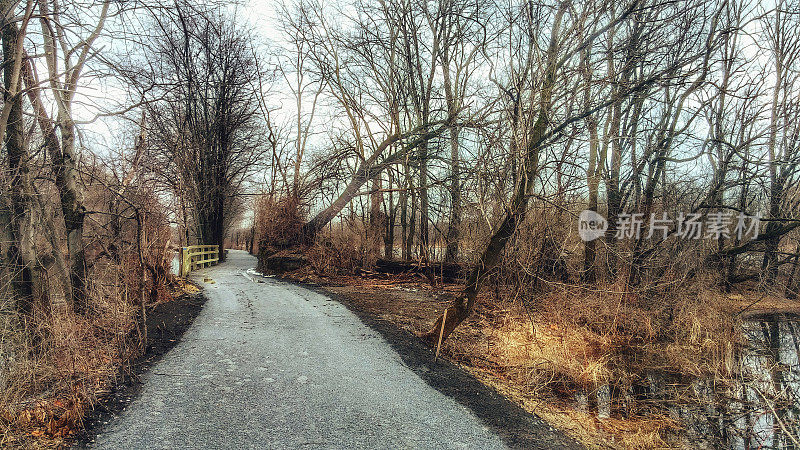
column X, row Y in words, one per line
column 760, row 408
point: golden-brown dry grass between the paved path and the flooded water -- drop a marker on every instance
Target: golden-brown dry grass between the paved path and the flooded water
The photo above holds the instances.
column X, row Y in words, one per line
column 571, row 343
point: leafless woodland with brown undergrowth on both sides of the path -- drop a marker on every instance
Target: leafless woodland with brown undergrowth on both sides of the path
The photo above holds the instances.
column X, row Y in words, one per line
column 462, row 140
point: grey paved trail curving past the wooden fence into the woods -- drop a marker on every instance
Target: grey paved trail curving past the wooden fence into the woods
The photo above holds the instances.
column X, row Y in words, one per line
column 268, row 364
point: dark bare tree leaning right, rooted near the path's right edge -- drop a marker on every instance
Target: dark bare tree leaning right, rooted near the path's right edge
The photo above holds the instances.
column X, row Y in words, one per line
column 569, row 35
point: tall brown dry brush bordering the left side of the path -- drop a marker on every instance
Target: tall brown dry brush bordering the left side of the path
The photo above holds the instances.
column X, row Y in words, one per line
column 57, row 365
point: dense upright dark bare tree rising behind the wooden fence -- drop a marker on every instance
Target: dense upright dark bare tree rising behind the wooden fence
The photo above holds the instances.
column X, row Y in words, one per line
column 202, row 91
